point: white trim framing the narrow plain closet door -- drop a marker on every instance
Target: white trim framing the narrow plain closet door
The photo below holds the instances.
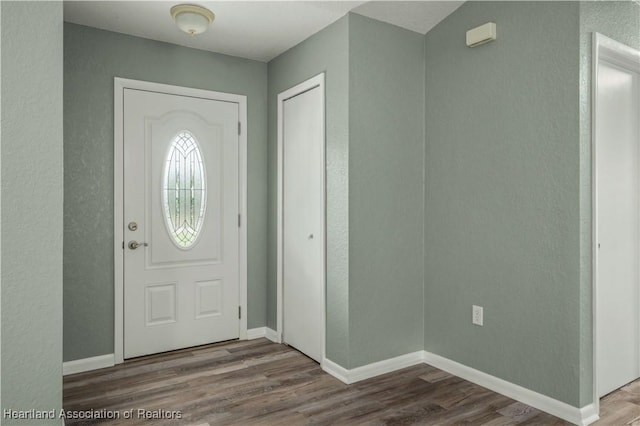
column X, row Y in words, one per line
column 317, row 81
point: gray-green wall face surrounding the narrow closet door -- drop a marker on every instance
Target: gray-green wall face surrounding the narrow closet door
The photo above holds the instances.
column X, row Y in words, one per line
column 327, row 51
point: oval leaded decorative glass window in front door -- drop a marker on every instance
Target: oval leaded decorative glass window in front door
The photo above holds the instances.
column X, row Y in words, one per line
column 184, row 192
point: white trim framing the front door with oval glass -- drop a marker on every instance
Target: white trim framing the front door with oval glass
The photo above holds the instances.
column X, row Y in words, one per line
column 119, row 84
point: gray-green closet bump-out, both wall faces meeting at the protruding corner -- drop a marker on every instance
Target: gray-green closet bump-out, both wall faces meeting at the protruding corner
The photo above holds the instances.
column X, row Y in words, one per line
column 374, row 143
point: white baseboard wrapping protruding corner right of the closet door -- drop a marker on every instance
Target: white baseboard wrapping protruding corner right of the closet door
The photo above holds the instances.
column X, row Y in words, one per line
column 373, row 369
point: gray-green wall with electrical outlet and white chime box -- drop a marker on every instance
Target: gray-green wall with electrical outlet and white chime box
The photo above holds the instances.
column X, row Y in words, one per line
column 502, row 220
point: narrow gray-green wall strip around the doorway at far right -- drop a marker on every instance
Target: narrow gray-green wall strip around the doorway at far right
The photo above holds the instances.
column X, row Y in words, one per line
column 619, row 20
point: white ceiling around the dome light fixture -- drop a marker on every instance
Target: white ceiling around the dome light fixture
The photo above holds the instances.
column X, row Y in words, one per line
column 259, row 30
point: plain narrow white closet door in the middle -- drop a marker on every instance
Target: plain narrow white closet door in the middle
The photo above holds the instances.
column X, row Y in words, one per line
column 303, row 239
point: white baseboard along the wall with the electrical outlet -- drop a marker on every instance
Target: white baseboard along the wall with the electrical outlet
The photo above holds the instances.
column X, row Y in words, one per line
column 579, row 416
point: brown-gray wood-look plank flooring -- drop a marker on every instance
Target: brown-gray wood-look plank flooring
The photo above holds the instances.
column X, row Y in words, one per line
column 262, row 383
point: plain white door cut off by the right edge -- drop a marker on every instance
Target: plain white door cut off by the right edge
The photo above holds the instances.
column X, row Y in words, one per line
column 618, row 221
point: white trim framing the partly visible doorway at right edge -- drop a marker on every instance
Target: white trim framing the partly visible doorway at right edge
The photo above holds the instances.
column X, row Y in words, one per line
column 611, row 51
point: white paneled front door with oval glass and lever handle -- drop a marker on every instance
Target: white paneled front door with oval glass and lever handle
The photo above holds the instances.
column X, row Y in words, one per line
column 181, row 205
